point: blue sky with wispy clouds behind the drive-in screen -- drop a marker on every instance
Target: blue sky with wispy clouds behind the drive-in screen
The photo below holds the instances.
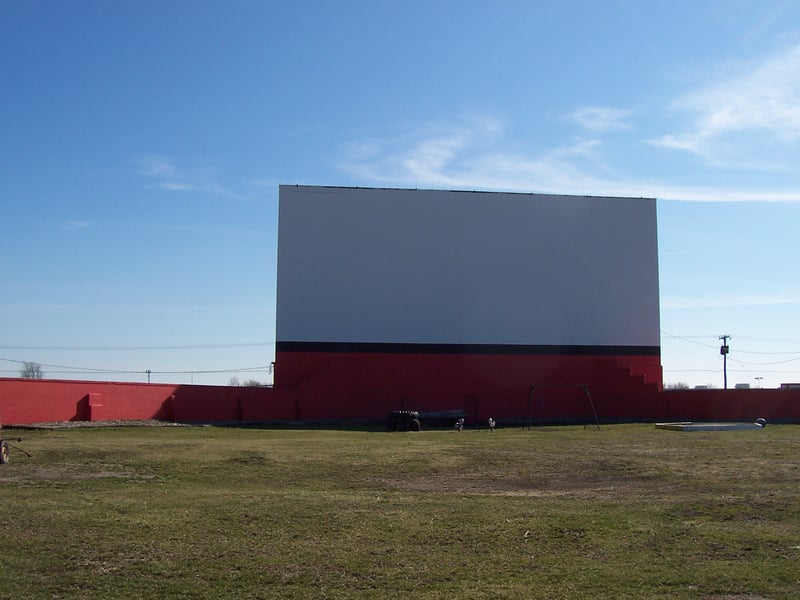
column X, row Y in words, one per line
column 143, row 144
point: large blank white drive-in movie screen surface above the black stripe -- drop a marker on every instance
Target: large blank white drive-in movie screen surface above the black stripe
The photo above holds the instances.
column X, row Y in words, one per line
column 448, row 267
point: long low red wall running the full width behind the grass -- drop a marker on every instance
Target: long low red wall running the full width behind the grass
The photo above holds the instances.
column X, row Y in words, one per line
column 25, row 401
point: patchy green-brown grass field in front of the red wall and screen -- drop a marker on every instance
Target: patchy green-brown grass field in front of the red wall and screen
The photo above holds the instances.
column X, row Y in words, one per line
column 557, row 512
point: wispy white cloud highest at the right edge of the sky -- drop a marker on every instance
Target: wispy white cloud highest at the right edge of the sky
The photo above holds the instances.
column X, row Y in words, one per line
column 761, row 100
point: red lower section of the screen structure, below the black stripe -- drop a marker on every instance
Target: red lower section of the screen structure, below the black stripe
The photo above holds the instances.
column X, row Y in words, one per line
column 367, row 385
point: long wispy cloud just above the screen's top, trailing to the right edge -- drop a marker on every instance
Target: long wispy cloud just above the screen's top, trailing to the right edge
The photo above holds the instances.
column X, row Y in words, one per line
column 477, row 154
